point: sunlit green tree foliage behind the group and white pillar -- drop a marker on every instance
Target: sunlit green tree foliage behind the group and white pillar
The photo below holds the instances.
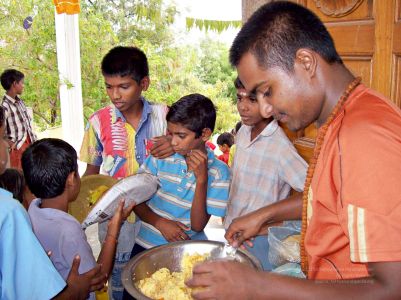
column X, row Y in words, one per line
column 175, row 69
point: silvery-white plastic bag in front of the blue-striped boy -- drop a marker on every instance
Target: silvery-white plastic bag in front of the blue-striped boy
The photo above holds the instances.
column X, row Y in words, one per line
column 136, row 188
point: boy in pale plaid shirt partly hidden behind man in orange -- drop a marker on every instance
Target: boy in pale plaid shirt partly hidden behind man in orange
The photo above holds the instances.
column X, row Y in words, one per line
column 266, row 166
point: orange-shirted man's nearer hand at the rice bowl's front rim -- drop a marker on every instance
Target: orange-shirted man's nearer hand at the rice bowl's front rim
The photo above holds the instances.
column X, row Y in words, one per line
column 222, row 280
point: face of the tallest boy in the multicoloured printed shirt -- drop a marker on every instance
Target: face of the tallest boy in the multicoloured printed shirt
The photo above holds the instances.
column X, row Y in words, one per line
column 124, row 92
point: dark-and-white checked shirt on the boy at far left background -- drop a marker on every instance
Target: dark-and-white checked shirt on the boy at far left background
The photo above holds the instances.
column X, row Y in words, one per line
column 18, row 121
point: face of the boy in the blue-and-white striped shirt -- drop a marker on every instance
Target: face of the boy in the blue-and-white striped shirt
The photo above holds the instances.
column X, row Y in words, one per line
column 183, row 140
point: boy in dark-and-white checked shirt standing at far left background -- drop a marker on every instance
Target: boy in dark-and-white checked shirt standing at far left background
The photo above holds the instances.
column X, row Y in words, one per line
column 19, row 130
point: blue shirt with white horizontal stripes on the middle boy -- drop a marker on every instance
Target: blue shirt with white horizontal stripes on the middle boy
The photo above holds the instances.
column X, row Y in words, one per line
column 174, row 198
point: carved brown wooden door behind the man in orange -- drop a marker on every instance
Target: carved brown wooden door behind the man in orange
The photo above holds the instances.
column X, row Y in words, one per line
column 367, row 35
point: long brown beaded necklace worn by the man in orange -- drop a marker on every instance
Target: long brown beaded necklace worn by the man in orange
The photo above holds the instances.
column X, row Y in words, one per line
column 312, row 165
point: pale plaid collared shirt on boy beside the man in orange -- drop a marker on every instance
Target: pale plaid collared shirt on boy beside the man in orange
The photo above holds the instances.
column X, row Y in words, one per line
column 264, row 170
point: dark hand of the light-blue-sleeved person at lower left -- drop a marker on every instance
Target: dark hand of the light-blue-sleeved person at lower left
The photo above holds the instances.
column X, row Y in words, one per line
column 79, row 286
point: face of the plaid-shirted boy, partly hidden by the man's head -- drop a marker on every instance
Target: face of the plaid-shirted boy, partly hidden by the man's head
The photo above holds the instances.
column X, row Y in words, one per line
column 248, row 108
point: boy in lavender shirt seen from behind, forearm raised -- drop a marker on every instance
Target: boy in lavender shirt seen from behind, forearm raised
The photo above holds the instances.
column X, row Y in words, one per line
column 51, row 173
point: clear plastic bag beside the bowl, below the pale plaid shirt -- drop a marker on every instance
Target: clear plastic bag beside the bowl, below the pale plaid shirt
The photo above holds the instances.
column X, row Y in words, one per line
column 283, row 245
